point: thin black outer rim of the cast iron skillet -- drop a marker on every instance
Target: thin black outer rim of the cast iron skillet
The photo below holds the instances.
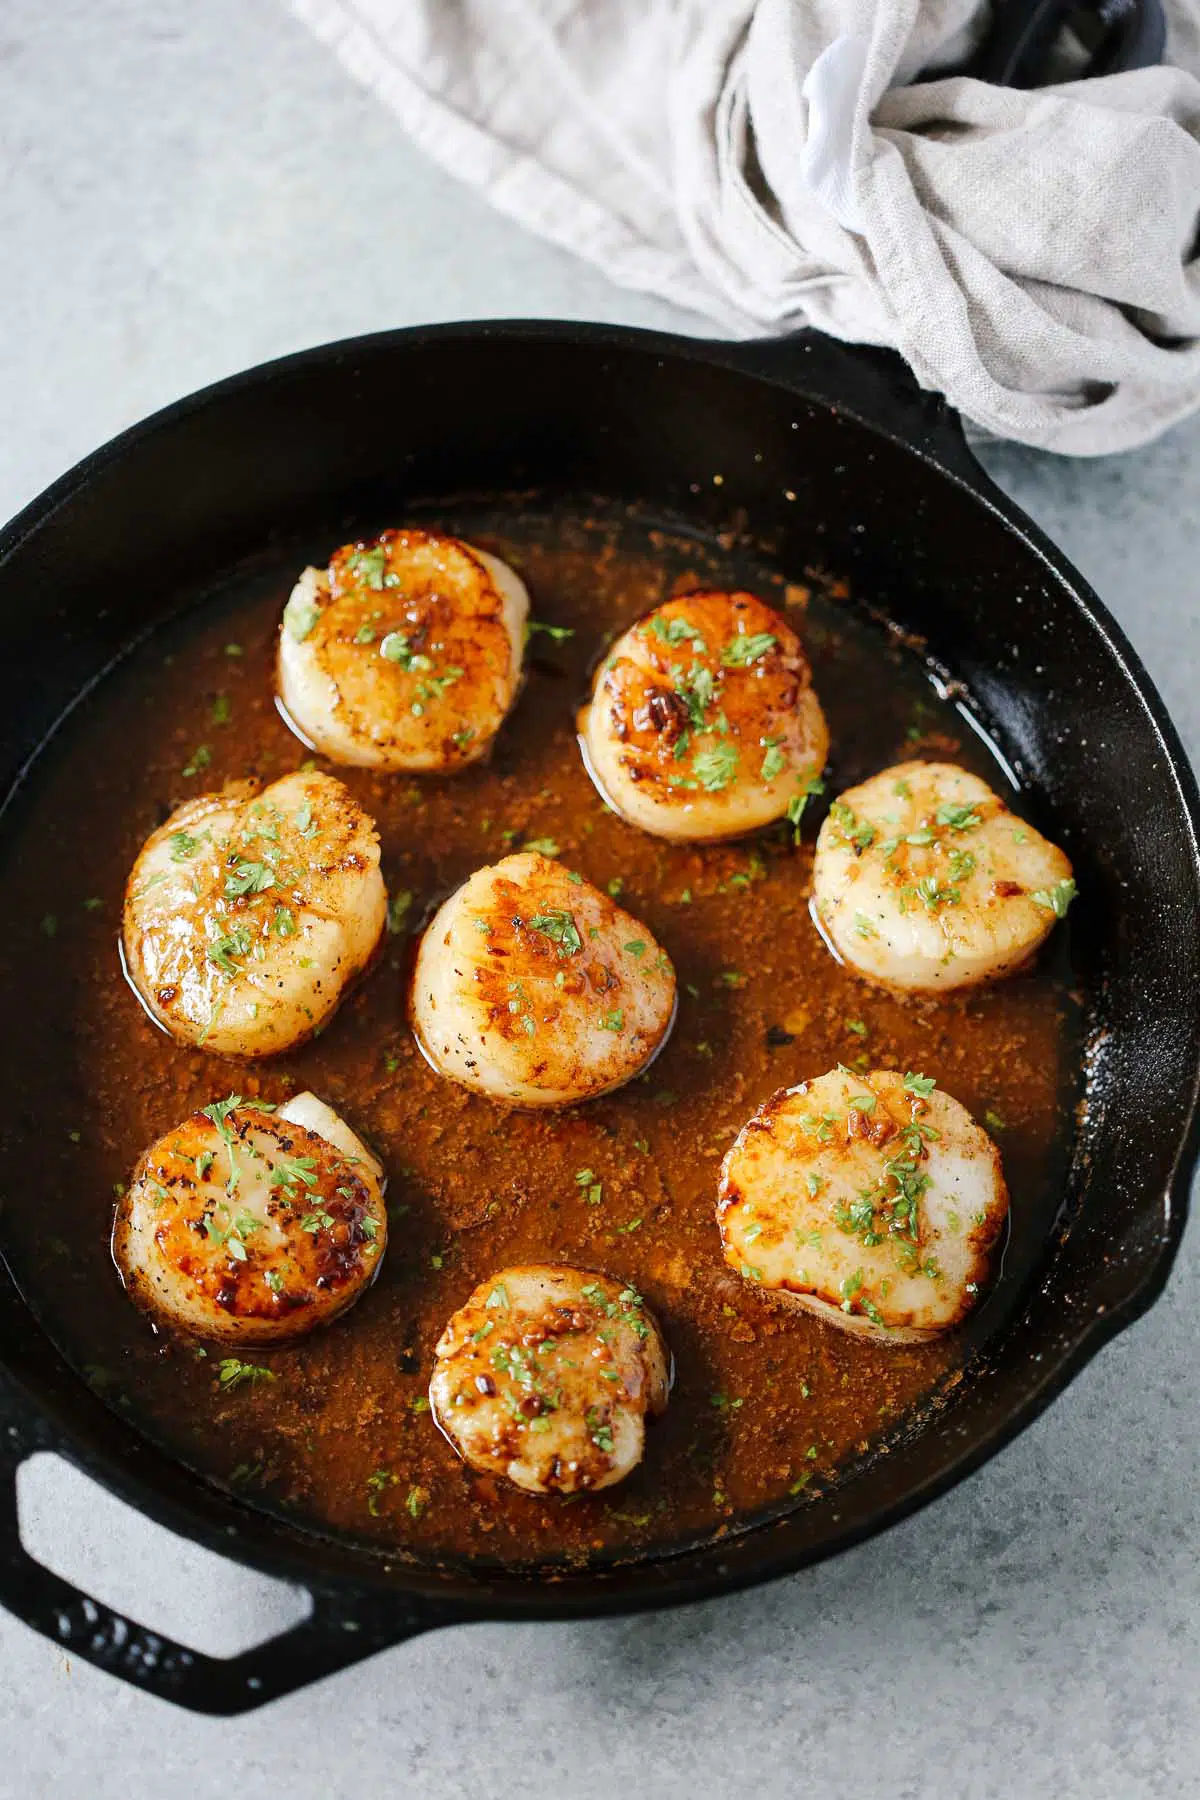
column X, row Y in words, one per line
column 877, row 391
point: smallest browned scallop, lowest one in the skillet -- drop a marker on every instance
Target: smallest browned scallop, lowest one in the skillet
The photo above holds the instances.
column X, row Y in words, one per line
column 546, row 1378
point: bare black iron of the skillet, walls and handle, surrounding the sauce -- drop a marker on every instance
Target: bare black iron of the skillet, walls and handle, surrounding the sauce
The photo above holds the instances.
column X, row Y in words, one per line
column 834, row 456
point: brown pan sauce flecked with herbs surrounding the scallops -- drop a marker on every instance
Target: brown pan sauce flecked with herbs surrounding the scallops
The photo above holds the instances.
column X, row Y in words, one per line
column 769, row 1405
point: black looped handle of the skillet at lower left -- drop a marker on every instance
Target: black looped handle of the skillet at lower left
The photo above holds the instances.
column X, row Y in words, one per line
column 334, row 1635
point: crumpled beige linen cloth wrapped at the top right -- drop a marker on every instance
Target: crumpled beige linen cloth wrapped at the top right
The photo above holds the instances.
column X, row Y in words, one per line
column 775, row 165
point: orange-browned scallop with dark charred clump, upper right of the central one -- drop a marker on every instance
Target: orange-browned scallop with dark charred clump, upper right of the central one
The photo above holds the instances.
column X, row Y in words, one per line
column 703, row 719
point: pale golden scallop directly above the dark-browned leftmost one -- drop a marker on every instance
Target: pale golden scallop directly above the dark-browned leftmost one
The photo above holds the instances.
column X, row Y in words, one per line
column 249, row 913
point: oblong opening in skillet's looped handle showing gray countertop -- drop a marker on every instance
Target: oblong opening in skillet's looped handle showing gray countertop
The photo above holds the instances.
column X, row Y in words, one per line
column 114, row 1554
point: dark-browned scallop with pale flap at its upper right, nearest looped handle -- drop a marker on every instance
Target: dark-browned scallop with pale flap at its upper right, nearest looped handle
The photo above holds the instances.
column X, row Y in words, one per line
column 253, row 1225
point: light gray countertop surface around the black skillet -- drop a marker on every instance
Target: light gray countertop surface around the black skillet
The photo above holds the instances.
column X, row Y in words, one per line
column 190, row 190
